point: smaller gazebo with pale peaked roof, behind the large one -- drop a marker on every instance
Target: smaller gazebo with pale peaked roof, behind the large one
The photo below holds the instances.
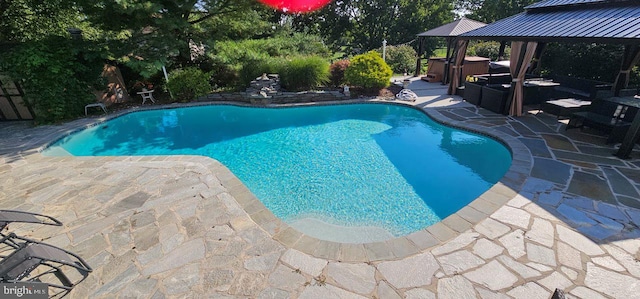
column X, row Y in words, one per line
column 449, row 31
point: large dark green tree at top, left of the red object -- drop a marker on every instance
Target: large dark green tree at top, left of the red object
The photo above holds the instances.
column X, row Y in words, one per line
column 148, row 34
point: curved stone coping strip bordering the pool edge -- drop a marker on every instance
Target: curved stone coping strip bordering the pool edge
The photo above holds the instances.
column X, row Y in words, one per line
column 400, row 247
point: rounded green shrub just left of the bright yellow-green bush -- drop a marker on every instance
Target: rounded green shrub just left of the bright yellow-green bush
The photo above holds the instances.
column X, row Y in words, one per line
column 304, row 73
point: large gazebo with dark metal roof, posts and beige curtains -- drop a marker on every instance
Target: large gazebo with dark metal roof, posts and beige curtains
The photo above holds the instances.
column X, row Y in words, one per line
column 564, row 21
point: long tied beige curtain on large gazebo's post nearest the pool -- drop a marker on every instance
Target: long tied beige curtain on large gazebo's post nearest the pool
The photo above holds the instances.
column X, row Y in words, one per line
column 521, row 55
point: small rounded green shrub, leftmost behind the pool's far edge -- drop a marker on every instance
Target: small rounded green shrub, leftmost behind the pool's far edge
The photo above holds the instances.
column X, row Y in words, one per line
column 188, row 83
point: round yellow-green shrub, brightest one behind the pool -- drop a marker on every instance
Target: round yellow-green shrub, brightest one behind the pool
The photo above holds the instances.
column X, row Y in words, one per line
column 369, row 71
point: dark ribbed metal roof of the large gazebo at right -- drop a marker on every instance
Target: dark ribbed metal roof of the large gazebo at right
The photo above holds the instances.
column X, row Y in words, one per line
column 605, row 21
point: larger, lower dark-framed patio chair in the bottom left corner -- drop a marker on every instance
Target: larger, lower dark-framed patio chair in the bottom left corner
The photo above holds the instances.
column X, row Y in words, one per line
column 28, row 260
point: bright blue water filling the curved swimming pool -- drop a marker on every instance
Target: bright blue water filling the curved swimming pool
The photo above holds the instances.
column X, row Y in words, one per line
column 359, row 165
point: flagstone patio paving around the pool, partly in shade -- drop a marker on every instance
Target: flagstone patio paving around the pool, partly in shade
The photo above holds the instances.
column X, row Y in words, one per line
column 184, row 227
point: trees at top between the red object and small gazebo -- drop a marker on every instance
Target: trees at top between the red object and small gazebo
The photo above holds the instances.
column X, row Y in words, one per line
column 361, row 25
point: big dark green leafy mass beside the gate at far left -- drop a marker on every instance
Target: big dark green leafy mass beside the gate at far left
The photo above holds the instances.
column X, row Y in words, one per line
column 58, row 75
